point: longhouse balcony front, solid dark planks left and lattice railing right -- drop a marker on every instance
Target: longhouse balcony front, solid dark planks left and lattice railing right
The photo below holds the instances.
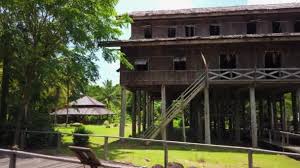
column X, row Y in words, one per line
column 215, row 76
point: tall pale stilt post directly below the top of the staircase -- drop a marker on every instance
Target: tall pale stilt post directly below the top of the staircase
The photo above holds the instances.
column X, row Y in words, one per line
column 206, row 116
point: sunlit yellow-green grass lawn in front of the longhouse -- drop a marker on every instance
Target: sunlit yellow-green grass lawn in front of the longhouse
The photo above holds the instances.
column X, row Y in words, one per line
column 140, row 154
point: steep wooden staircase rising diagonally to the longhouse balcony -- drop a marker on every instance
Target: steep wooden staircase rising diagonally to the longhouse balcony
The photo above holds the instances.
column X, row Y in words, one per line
column 177, row 106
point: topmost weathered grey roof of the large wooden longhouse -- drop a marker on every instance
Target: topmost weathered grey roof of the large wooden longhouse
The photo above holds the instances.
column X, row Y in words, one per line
column 216, row 11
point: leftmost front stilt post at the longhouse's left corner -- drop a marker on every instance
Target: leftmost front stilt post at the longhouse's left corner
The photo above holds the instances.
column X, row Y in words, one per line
column 123, row 112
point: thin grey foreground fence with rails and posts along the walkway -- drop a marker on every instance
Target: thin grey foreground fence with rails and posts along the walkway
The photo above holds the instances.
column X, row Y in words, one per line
column 250, row 151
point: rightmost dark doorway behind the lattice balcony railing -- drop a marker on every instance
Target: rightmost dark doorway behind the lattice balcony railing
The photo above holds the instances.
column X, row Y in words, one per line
column 272, row 60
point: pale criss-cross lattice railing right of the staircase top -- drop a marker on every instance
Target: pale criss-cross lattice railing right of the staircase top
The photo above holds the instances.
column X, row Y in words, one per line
column 259, row 74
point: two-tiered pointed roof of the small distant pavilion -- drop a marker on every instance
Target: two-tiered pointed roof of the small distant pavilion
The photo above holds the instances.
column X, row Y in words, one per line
column 84, row 106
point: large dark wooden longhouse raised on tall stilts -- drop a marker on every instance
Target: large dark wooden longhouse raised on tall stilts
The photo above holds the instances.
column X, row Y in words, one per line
column 234, row 68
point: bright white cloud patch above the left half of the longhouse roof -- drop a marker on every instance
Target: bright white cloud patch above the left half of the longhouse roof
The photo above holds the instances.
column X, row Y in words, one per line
column 174, row 4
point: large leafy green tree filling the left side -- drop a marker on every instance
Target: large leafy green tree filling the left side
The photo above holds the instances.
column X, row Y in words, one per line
column 54, row 41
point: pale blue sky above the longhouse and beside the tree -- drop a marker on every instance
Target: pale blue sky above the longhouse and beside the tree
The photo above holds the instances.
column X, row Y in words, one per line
column 108, row 71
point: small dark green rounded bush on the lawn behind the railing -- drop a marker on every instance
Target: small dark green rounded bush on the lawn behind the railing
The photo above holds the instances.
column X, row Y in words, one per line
column 81, row 140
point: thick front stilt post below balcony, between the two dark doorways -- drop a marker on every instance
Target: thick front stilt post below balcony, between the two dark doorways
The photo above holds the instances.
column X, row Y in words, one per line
column 253, row 117
